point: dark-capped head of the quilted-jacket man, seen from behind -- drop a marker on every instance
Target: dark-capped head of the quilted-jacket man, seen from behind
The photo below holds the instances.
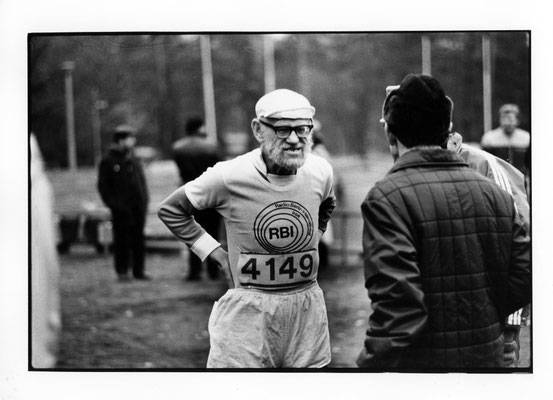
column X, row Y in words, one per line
column 419, row 112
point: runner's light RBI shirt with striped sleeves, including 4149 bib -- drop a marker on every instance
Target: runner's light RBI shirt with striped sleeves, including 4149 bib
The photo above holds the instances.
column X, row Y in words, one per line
column 273, row 222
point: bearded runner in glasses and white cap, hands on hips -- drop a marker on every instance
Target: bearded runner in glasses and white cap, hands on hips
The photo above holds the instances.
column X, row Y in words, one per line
column 276, row 202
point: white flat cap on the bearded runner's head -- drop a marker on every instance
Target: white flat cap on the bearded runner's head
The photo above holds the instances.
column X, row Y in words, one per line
column 284, row 103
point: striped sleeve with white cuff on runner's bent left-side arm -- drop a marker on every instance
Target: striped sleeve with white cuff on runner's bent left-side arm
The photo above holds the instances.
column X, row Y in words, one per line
column 176, row 212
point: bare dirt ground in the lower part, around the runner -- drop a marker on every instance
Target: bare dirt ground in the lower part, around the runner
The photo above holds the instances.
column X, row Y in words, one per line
column 162, row 323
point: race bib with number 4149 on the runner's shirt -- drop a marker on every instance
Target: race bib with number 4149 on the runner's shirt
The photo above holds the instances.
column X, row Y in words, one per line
column 276, row 271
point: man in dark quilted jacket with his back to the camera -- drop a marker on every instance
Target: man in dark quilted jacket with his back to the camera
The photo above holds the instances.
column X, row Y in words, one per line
column 446, row 254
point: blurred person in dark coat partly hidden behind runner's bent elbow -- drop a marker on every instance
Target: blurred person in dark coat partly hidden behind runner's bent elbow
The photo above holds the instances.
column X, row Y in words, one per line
column 194, row 154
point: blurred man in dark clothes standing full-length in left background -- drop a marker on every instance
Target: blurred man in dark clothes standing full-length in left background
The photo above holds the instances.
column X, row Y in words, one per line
column 122, row 186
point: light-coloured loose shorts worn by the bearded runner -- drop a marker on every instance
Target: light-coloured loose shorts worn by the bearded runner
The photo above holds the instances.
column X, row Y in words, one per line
column 250, row 328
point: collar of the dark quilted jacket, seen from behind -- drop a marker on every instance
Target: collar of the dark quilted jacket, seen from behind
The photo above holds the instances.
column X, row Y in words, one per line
column 428, row 157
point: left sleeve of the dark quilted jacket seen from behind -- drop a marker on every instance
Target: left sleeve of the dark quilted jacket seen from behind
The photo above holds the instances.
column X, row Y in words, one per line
column 393, row 282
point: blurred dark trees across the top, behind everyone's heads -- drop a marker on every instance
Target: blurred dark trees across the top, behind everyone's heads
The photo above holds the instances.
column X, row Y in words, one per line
column 158, row 81
